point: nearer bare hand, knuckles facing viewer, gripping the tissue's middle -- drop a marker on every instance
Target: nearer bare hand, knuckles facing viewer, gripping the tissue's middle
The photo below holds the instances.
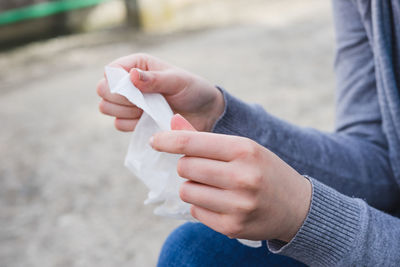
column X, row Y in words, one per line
column 236, row 186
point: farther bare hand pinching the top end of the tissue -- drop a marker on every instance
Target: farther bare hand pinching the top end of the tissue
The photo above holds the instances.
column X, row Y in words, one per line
column 192, row 96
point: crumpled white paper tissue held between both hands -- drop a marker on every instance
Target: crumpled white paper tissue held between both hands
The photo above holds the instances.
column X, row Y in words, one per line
column 157, row 170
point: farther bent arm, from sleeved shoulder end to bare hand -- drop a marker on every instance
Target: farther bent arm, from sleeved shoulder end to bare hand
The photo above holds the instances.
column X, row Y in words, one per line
column 353, row 160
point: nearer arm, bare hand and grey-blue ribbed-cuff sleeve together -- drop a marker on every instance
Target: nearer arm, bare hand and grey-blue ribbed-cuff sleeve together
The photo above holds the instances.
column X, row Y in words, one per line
column 242, row 190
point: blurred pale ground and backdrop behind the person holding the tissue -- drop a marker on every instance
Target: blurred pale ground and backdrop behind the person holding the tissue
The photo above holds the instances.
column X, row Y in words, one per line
column 65, row 197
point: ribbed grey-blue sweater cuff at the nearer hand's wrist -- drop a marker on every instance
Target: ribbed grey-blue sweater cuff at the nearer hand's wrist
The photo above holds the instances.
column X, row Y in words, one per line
column 329, row 231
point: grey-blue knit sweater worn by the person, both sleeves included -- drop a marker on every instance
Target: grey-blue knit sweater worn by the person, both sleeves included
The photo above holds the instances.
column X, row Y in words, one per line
column 353, row 219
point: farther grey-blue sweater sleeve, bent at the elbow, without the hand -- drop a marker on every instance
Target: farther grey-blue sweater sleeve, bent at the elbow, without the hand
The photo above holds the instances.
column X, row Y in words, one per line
column 354, row 159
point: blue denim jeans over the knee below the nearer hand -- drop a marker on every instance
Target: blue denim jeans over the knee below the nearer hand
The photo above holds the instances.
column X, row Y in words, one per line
column 194, row 244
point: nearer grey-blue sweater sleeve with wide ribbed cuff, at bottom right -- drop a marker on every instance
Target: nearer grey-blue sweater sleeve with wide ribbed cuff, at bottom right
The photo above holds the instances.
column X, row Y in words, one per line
column 343, row 231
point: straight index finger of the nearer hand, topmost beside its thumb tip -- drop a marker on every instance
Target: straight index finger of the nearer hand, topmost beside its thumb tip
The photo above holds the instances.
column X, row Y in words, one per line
column 197, row 144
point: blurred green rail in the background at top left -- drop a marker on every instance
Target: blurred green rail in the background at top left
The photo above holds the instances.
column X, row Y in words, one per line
column 44, row 9
